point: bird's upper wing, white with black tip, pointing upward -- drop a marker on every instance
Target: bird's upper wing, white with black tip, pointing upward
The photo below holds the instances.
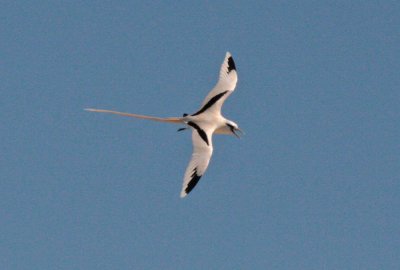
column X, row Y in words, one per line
column 225, row 86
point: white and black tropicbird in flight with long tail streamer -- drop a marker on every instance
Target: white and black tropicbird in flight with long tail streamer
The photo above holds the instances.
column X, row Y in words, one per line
column 205, row 122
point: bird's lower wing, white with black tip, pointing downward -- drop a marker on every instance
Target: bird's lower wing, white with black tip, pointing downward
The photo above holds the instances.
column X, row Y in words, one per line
column 202, row 151
